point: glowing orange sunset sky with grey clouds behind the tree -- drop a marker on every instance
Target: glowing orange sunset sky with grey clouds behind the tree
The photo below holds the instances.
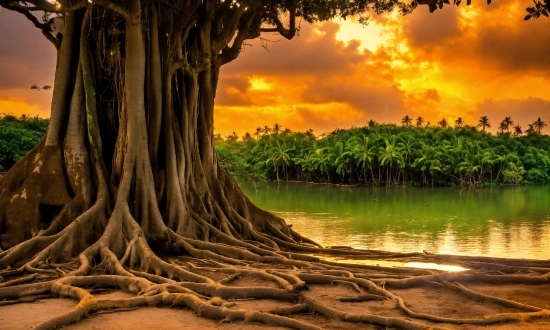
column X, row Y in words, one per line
column 465, row 61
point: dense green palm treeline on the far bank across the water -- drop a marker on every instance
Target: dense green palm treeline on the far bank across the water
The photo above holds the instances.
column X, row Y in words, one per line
column 390, row 155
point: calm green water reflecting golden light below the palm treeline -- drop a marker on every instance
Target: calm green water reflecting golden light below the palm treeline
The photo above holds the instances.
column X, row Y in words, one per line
column 511, row 222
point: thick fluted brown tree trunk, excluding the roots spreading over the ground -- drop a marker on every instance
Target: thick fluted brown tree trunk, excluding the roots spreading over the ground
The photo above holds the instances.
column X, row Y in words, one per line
column 129, row 148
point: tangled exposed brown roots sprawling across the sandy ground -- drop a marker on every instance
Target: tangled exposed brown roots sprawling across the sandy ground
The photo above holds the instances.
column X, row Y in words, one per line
column 213, row 288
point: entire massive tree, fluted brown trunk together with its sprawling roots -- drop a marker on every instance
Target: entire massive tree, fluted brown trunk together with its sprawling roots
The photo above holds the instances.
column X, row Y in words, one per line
column 128, row 172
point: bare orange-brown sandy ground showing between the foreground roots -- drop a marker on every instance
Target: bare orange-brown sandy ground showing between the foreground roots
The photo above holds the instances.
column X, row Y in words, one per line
column 437, row 301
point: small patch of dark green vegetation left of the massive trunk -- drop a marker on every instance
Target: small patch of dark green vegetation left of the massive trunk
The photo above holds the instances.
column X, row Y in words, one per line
column 18, row 136
